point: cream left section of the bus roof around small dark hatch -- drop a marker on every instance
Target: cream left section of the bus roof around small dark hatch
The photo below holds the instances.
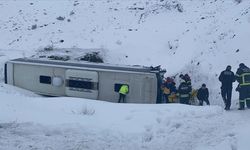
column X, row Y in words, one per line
column 29, row 77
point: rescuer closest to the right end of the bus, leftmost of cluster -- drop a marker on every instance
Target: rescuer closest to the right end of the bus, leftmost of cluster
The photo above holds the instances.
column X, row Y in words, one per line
column 169, row 90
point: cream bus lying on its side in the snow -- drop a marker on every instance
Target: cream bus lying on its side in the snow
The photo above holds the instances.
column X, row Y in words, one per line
column 86, row 80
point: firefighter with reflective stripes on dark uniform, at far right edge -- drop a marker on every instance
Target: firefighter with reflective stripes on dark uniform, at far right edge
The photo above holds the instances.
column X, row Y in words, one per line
column 243, row 78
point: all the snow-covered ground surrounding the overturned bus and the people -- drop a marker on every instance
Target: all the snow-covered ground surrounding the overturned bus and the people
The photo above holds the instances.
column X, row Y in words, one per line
column 199, row 37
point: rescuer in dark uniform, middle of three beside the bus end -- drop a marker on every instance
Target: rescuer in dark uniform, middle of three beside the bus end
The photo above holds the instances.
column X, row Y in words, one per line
column 184, row 92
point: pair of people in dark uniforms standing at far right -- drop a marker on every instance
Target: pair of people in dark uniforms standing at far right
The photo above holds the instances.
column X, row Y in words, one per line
column 242, row 76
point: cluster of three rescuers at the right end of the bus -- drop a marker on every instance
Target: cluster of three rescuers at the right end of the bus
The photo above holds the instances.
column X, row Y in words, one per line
column 184, row 93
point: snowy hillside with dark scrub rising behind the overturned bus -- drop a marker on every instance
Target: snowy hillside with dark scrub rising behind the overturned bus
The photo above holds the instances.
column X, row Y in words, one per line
column 182, row 36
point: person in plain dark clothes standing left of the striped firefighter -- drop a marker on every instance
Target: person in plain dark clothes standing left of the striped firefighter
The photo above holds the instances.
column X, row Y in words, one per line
column 227, row 78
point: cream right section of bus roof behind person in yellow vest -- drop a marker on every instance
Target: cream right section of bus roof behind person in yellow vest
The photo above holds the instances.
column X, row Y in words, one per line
column 142, row 87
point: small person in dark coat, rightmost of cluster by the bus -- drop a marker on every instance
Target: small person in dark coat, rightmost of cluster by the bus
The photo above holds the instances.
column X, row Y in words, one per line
column 203, row 95
